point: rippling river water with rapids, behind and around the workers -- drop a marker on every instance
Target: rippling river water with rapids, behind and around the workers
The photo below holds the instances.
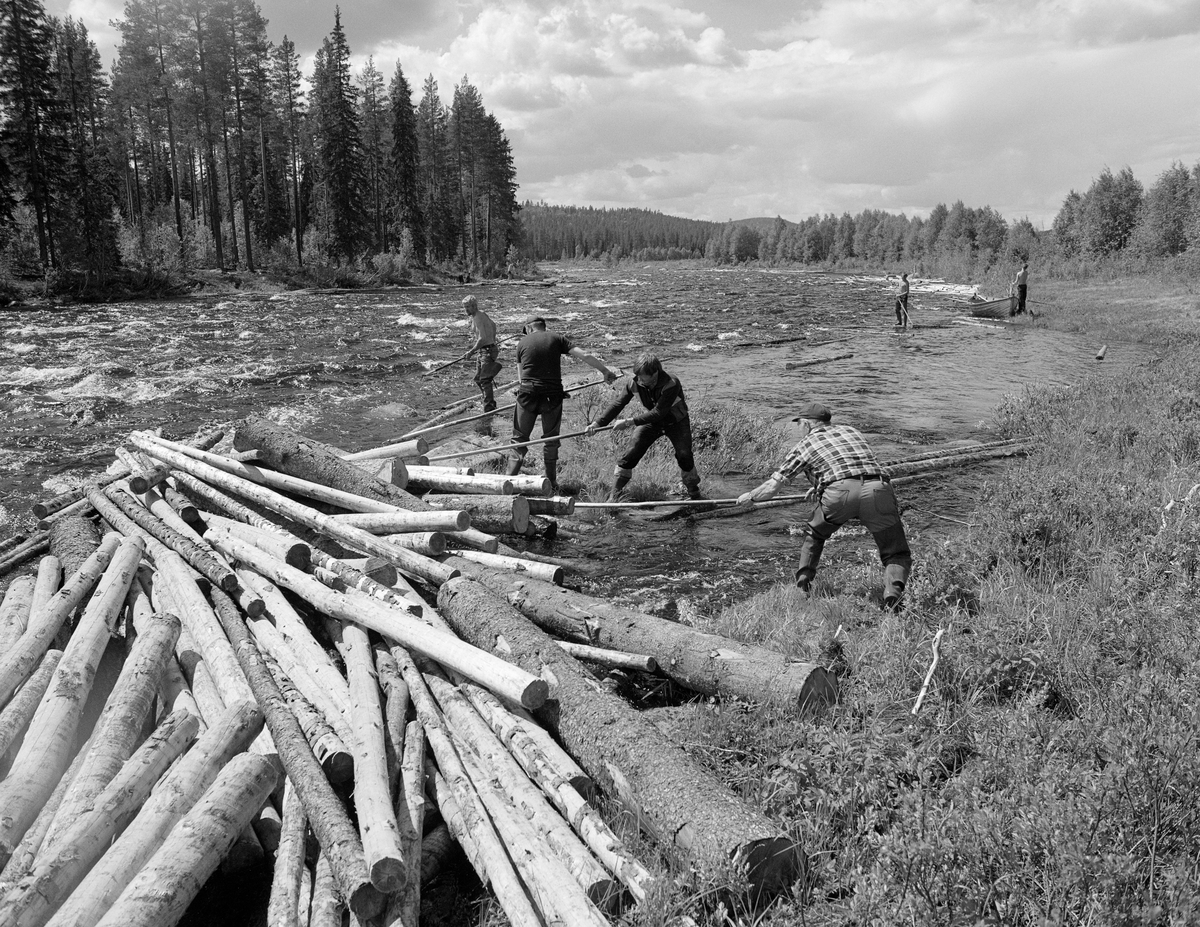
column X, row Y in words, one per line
column 350, row 369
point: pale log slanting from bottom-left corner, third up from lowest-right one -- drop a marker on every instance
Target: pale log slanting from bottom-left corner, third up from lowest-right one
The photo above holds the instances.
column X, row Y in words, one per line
column 62, row 865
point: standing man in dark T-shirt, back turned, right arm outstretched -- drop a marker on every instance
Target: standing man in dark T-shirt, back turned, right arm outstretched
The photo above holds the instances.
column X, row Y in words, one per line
column 541, row 392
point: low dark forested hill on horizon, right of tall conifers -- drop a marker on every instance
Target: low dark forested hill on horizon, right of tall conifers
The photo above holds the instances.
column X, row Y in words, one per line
column 554, row 232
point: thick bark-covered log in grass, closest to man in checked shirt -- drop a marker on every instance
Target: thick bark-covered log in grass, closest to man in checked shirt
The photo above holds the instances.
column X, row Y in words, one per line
column 706, row 663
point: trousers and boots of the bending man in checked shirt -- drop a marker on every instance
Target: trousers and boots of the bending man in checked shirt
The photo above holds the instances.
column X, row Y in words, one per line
column 874, row 504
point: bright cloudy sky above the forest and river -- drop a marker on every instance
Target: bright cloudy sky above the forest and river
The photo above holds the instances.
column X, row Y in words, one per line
column 723, row 110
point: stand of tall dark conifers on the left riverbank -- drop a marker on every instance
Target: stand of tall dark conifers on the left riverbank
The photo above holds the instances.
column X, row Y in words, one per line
column 205, row 149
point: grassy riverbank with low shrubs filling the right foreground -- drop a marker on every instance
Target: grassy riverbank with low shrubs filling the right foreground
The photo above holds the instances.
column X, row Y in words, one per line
column 1052, row 774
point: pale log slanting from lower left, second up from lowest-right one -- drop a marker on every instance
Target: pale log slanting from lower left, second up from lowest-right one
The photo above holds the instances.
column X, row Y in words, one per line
column 179, row 791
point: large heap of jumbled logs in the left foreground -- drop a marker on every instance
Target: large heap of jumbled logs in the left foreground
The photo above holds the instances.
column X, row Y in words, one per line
column 229, row 655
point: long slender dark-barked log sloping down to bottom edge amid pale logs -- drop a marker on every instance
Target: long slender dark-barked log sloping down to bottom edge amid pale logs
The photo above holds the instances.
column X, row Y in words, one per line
column 331, row 823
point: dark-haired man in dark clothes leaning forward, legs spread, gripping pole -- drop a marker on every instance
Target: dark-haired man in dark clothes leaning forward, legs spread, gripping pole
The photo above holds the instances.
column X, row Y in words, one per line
column 667, row 414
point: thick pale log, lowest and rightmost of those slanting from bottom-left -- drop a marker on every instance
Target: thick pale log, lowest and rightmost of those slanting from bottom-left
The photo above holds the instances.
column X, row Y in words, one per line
column 175, row 876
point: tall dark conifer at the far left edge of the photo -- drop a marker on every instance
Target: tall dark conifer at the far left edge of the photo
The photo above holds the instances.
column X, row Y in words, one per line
column 34, row 130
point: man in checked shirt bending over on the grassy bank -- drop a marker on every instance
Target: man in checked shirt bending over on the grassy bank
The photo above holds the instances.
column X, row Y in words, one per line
column 848, row 483
